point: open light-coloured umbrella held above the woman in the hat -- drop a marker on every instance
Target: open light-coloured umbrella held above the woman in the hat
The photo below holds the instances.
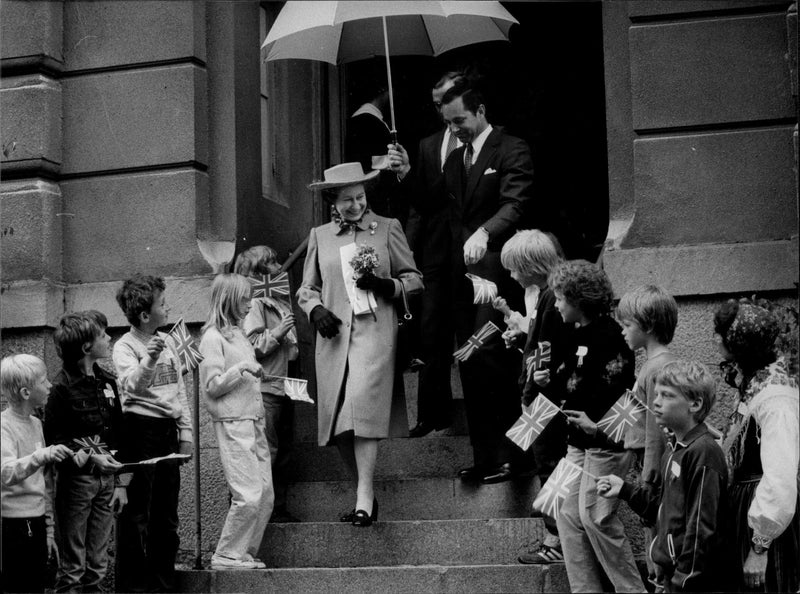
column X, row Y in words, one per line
column 340, row 32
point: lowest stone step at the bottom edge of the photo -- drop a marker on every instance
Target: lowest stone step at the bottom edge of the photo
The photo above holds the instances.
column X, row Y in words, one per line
column 388, row 580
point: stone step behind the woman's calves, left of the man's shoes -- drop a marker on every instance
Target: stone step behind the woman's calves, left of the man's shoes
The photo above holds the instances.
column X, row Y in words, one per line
column 435, row 455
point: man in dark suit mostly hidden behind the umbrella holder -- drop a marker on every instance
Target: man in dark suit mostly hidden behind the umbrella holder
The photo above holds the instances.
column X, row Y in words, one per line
column 429, row 237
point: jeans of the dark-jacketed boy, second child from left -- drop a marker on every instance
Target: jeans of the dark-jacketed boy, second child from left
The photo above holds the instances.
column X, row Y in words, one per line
column 85, row 518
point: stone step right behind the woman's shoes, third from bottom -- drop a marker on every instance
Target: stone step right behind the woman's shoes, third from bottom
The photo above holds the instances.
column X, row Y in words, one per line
column 416, row 499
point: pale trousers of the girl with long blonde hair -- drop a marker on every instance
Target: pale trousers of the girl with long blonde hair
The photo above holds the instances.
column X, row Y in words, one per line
column 244, row 454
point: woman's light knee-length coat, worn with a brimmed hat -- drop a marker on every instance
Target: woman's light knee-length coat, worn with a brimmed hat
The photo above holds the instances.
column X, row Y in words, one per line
column 357, row 365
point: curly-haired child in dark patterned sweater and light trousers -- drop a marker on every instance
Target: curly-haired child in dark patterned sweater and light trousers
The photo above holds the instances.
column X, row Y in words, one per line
column 598, row 368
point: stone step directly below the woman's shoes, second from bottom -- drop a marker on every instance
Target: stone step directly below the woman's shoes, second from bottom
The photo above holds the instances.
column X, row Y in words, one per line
column 393, row 543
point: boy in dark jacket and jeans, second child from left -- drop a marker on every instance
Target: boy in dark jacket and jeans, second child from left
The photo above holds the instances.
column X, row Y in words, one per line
column 84, row 403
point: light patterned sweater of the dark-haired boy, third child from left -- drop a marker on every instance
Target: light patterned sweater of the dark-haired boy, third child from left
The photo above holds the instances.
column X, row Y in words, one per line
column 152, row 388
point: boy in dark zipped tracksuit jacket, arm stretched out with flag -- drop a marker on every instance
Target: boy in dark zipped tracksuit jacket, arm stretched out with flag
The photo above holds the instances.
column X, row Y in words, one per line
column 687, row 504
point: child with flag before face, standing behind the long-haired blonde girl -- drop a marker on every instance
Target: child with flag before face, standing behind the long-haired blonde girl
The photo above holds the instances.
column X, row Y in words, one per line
column 270, row 328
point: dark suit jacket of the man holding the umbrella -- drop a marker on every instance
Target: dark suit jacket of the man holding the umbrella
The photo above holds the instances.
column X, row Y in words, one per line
column 495, row 196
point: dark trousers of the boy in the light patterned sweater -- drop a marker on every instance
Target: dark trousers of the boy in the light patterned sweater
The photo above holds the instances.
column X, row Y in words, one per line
column 147, row 532
